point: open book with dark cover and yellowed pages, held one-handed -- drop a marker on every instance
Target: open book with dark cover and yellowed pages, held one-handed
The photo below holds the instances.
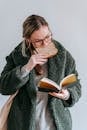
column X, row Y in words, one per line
column 47, row 85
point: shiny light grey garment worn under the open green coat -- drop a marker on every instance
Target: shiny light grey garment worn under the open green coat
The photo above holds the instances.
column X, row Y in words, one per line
column 43, row 118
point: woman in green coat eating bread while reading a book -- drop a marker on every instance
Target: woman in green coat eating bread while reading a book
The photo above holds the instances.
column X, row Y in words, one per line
column 31, row 109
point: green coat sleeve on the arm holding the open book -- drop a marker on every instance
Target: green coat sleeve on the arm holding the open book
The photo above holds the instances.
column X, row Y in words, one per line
column 75, row 90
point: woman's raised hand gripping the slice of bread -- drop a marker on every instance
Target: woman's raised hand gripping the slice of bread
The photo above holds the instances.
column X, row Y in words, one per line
column 34, row 60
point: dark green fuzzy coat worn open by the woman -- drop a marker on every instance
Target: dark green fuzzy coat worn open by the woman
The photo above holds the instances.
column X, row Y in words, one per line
column 22, row 113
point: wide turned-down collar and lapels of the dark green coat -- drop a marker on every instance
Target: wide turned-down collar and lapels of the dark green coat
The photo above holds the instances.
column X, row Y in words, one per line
column 56, row 64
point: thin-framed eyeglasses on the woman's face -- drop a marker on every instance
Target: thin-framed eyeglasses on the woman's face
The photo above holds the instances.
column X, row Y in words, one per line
column 39, row 43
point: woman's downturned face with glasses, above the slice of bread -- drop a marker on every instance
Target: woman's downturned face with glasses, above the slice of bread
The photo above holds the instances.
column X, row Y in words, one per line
column 41, row 37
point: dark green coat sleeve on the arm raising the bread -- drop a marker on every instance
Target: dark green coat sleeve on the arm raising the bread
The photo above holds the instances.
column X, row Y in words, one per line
column 10, row 79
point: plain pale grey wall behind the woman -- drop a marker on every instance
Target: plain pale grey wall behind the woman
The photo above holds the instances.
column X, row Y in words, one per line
column 68, row 22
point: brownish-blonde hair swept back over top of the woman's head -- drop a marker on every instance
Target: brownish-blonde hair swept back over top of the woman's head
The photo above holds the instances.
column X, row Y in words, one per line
column 33, row 23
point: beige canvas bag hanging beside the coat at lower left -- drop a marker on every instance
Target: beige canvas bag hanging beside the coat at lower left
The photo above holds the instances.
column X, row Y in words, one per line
column 5, row 111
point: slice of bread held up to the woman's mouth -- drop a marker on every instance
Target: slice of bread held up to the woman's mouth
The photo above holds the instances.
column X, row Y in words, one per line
column 49, row 50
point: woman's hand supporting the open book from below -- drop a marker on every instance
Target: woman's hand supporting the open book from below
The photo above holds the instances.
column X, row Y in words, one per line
column 64, row 94
